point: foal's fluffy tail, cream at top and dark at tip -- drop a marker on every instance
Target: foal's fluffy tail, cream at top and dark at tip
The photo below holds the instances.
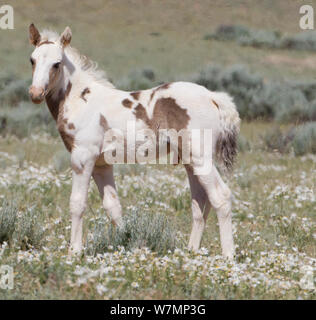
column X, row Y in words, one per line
column 226, row 144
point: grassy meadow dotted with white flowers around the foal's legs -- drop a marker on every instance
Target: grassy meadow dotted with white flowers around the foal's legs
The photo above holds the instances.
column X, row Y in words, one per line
column 274, row 226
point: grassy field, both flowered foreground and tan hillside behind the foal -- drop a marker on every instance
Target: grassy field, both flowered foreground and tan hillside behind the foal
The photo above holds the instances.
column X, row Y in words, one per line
column 274, row 207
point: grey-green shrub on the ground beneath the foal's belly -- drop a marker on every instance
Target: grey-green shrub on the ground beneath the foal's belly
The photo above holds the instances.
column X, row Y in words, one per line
column 146, row 229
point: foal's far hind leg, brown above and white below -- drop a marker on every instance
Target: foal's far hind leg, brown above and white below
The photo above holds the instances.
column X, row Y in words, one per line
column 200, row 209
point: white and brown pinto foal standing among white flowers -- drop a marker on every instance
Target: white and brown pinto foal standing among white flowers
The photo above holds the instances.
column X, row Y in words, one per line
column 85, row 105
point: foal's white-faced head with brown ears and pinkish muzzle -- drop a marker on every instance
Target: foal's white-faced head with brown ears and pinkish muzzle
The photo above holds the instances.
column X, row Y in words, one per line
column 47, row 62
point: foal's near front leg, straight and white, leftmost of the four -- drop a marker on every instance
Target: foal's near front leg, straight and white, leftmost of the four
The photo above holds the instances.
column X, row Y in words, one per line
column 81, row 175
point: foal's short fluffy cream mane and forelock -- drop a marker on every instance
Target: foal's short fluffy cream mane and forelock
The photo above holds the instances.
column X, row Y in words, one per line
column 81, row 61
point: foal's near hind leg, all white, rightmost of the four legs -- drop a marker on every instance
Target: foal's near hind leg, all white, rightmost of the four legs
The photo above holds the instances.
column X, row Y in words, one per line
column 220, row 198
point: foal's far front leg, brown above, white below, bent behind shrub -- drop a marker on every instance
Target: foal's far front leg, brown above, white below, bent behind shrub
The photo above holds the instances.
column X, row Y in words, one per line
column 103, row 177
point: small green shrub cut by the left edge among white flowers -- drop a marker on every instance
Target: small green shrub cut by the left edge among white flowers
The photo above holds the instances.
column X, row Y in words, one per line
column 8, row 214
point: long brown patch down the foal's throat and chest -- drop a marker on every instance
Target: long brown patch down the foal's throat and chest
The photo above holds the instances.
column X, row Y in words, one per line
column 56, row 107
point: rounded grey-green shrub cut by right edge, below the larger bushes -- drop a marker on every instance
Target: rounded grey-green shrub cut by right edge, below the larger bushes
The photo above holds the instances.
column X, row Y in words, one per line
column 305, row 139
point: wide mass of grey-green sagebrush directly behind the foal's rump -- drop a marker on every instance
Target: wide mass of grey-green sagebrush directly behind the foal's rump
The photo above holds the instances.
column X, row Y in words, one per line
column 256, row 99
